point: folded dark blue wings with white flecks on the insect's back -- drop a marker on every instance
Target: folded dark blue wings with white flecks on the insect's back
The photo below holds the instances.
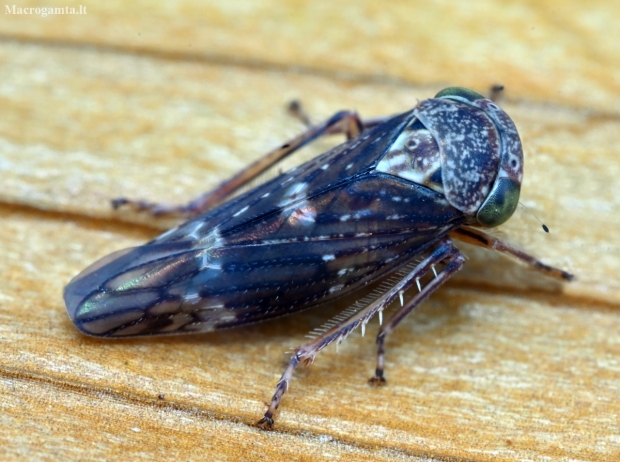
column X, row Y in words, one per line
column 304, row 238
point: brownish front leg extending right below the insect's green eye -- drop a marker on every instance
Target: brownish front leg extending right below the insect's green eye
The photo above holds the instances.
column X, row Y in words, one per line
column 482, row 239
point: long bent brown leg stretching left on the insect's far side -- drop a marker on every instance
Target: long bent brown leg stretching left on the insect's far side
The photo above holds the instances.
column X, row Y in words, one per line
column 347, row 122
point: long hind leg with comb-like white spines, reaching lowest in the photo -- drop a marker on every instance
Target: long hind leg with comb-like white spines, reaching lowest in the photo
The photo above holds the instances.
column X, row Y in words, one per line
column 445, row 250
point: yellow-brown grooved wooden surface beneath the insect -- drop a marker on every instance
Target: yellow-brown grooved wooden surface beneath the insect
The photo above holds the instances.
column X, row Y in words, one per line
column 161, row 102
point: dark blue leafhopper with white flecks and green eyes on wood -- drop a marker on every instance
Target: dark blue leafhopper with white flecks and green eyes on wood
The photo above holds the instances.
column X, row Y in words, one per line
column 389, row 201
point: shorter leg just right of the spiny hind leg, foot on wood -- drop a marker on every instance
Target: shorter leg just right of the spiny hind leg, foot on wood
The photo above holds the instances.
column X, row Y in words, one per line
column 454, row 261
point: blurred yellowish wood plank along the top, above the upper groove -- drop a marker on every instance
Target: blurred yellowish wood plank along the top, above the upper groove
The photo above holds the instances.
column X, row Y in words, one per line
column 537, row 49
